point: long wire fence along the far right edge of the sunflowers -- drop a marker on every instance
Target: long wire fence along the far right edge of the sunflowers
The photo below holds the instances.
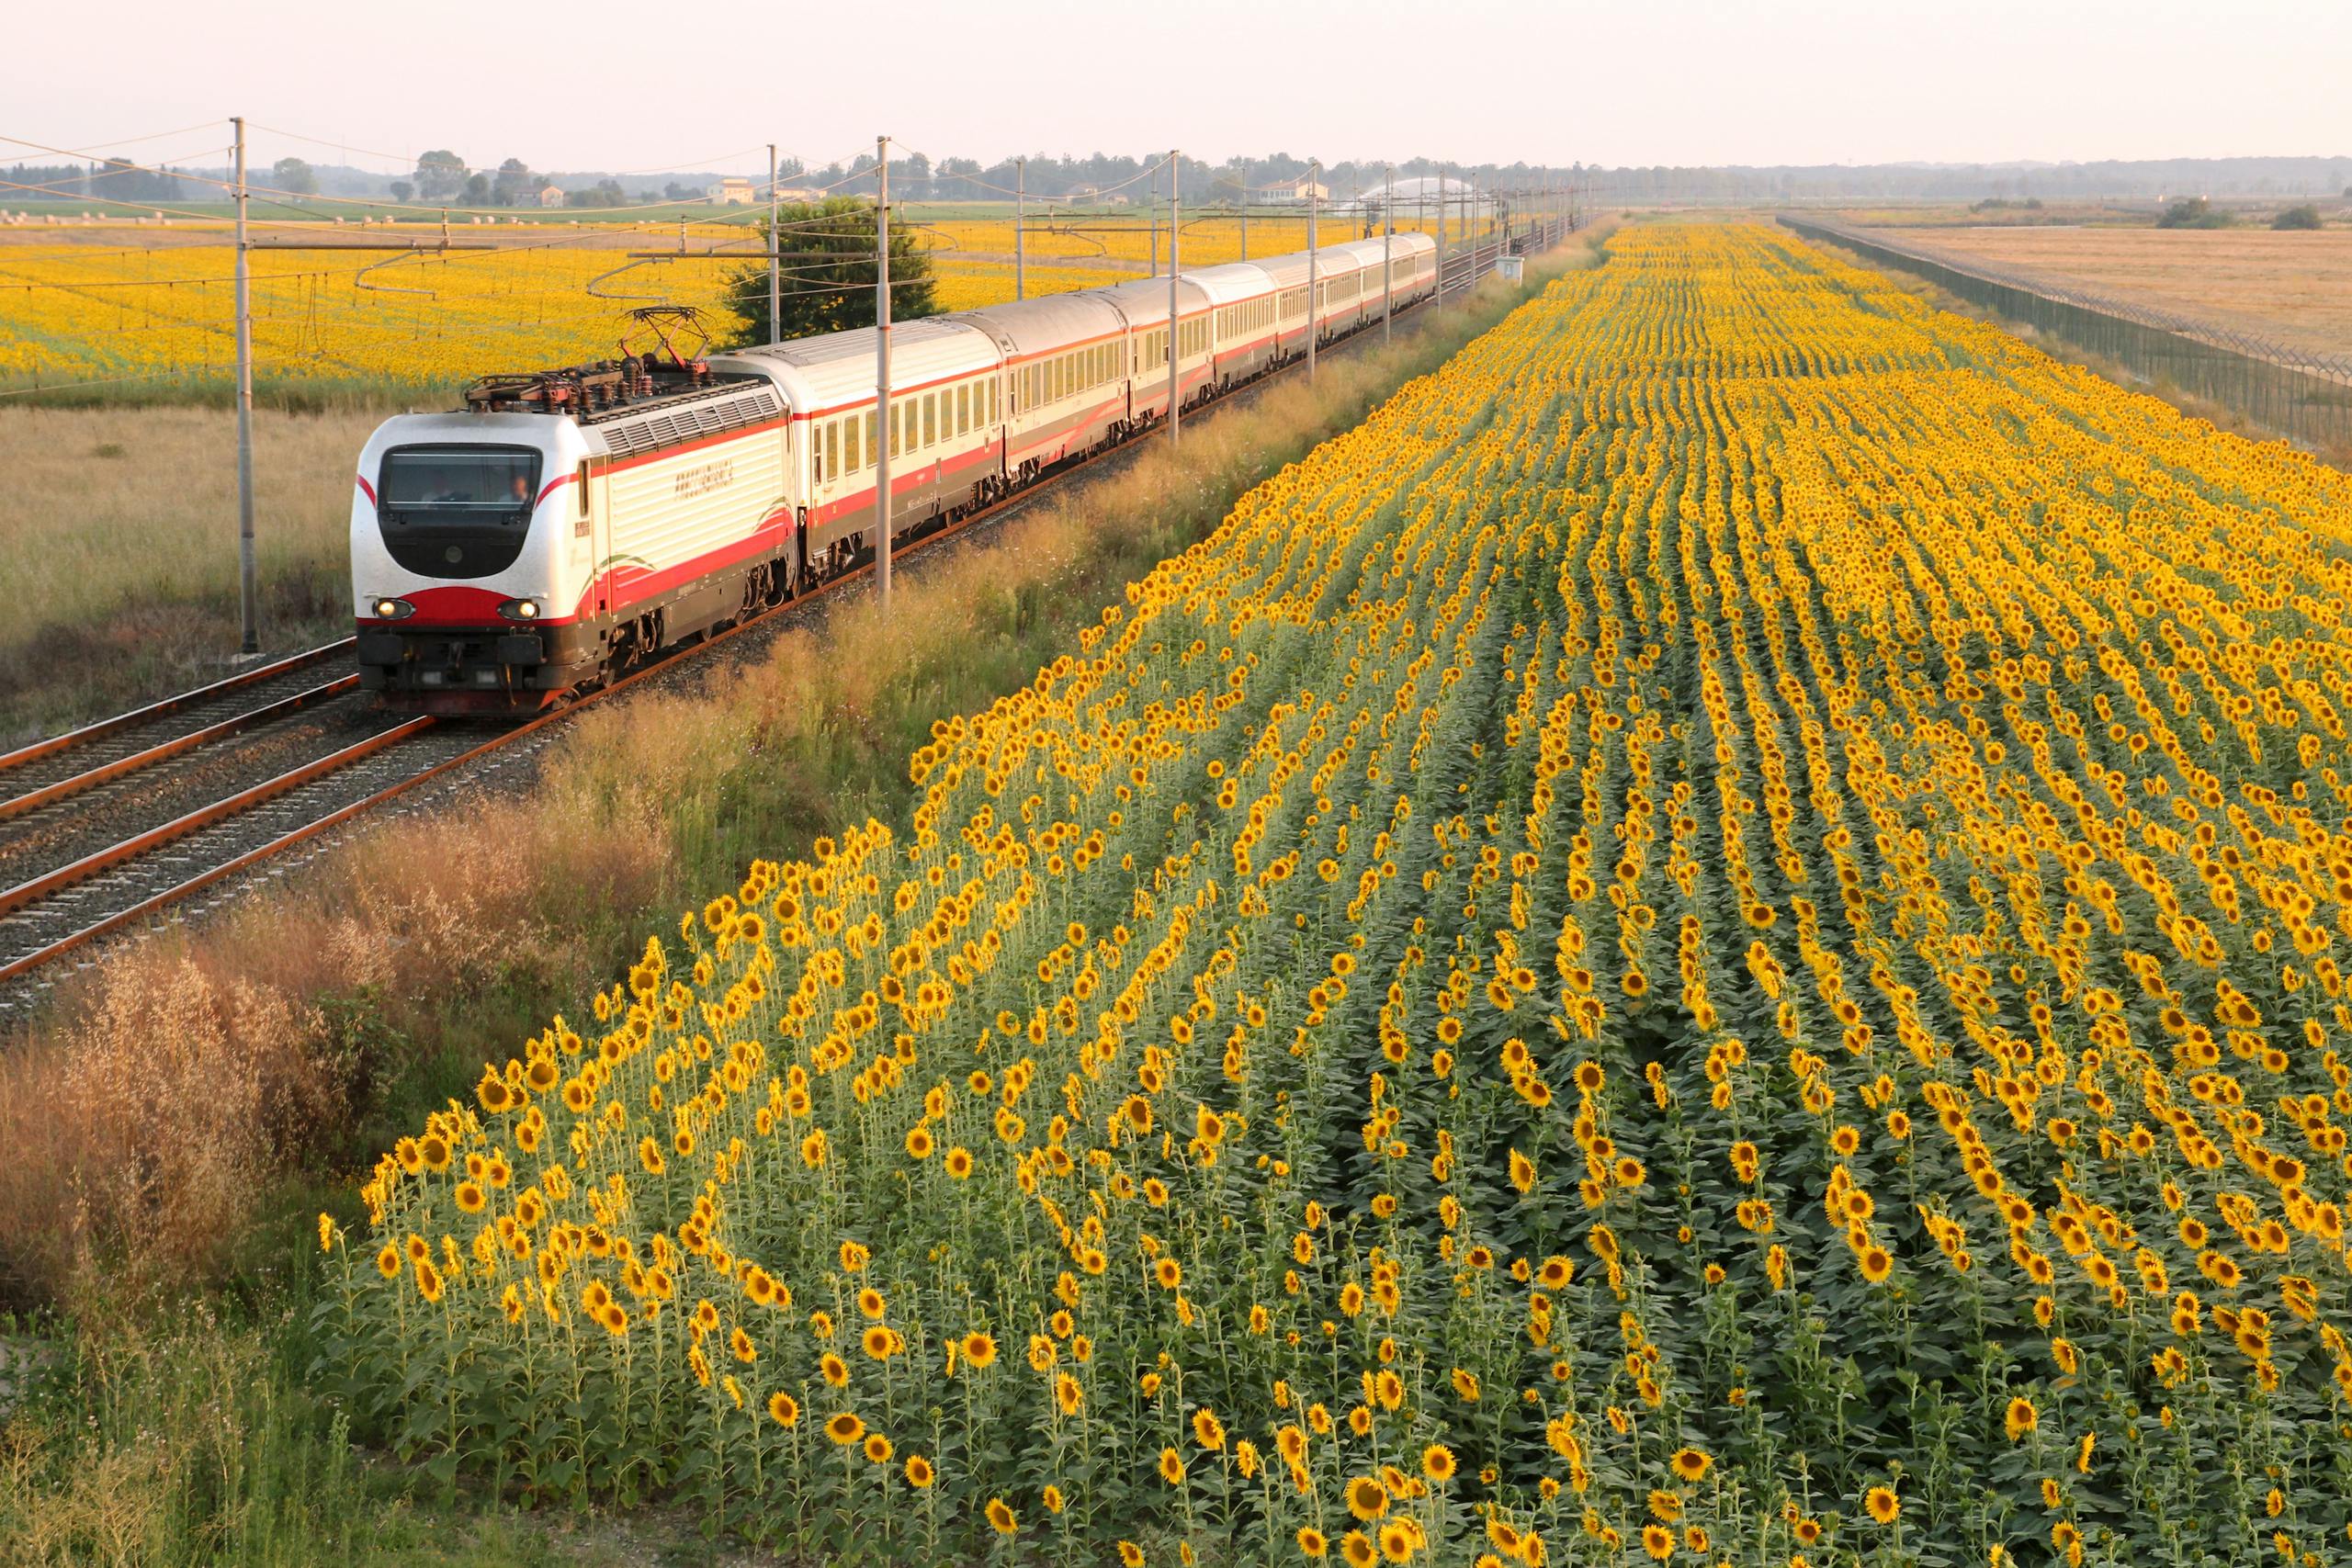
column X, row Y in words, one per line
column 2294, row 391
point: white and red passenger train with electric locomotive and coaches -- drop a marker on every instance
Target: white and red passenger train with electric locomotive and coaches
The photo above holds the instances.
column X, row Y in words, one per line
column 568, row 525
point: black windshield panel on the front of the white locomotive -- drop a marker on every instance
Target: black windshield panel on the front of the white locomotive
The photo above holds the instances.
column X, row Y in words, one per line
column 457, row 511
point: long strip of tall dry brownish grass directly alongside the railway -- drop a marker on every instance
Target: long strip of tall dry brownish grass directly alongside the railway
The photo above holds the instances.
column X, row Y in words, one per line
column 182, row 1080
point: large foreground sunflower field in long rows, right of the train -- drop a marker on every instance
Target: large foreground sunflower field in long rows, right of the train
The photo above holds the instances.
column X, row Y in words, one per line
column 1709, row 942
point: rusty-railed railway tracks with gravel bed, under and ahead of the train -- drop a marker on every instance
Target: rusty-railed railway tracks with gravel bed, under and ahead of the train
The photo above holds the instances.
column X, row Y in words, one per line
column 116, row 822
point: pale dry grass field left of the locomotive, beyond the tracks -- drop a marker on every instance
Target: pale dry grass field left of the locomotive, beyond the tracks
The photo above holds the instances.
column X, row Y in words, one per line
column 121, row 565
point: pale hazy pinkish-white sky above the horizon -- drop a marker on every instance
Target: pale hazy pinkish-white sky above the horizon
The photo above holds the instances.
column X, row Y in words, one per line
column 702, row 86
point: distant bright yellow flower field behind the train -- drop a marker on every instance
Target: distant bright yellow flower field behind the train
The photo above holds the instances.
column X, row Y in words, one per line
column 161, row 309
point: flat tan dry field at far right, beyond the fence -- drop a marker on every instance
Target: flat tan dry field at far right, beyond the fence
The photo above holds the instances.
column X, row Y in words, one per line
column 2285, row 286
